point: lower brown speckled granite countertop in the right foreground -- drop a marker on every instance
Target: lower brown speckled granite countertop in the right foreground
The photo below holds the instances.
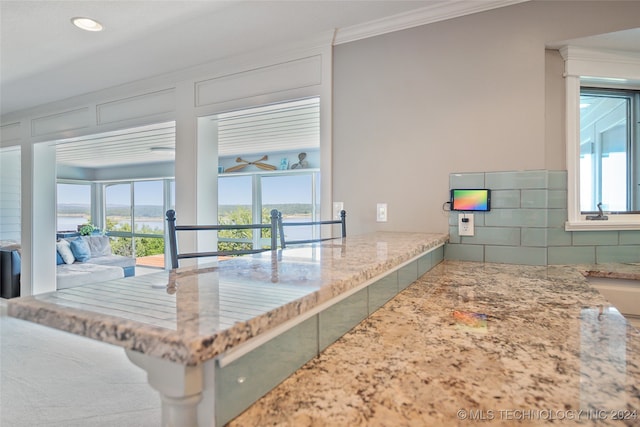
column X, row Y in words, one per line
column 469, row 344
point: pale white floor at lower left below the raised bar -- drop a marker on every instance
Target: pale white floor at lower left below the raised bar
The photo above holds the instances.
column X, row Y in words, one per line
column 55, row 379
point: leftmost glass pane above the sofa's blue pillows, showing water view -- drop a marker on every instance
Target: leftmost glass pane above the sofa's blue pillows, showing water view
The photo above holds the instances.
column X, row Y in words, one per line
column 73, row 206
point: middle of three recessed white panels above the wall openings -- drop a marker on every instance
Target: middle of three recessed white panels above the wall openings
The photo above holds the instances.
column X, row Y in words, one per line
column 135, row 107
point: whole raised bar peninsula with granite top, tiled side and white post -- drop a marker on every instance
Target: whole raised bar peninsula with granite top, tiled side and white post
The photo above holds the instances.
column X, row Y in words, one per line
column 214, row 339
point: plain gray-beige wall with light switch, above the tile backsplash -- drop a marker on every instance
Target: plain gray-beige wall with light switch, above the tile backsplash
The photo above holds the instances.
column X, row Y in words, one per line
column 472, row 94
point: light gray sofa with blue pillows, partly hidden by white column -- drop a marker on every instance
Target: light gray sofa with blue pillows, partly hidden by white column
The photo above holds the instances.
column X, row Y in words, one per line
column 79, row 260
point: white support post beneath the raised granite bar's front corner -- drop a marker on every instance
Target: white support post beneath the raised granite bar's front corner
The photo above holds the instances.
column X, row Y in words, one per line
column 180, row 388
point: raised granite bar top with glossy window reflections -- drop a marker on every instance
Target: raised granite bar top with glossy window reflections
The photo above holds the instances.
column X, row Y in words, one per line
column 191, row 315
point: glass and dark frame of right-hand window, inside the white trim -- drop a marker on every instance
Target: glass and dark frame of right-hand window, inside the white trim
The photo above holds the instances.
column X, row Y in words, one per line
column 608, row 150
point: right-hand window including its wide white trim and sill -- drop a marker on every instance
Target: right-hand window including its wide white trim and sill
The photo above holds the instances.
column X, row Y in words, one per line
column 602, row 138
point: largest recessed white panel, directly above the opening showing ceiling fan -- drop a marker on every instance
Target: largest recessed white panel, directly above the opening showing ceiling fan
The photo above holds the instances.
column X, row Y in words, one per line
column 290, row 75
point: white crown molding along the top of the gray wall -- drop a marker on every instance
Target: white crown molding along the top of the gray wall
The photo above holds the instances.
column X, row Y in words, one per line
column 434, row 13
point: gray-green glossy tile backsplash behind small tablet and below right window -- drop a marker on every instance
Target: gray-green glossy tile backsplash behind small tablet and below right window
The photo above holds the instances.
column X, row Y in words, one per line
column 526, row 224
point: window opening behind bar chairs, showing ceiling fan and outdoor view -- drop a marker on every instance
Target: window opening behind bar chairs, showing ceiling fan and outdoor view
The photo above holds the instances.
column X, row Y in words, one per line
column 270, row 156
